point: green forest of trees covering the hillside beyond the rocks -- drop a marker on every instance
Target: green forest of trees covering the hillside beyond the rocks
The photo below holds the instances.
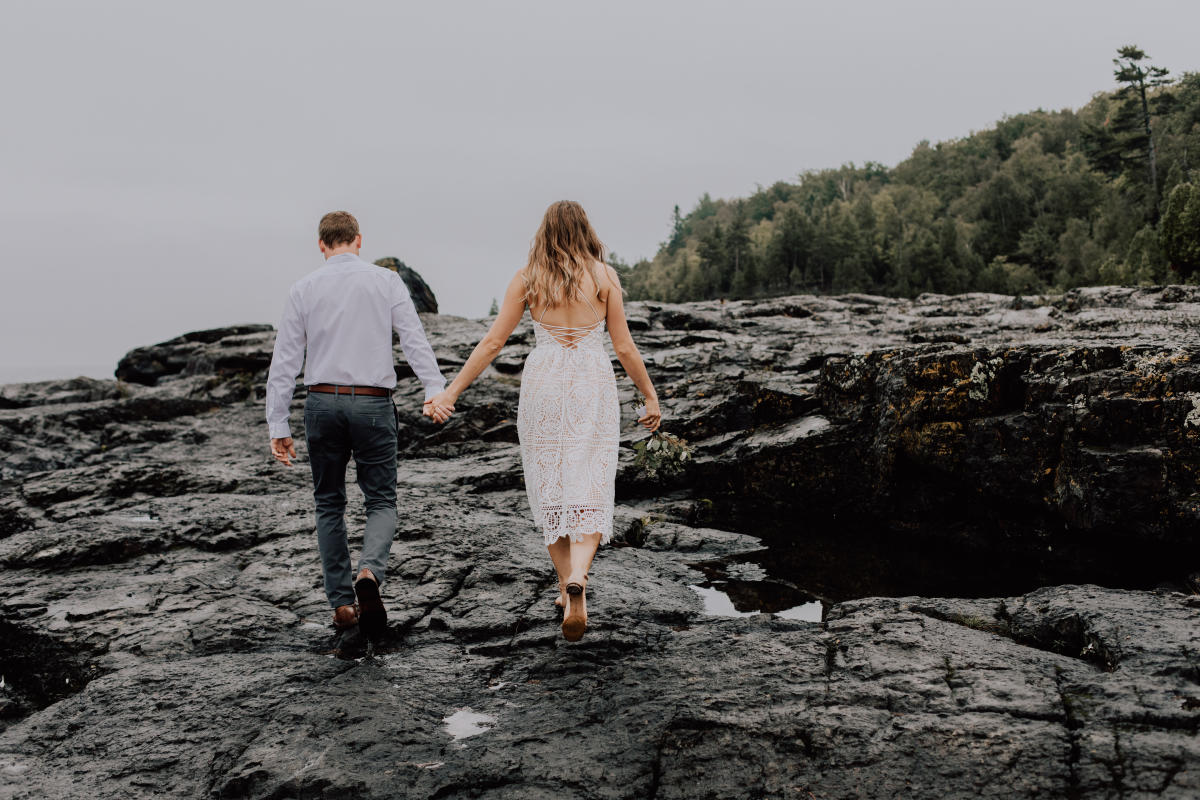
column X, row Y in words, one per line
column 1042, row 202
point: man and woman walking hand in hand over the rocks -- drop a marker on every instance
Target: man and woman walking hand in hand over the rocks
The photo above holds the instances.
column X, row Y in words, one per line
column 338, row 324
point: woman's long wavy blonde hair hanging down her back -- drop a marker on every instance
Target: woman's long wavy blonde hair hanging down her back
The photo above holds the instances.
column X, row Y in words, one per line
column 562, row 251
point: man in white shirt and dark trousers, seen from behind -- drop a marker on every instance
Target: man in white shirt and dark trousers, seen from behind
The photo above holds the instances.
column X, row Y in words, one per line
column 345, row 314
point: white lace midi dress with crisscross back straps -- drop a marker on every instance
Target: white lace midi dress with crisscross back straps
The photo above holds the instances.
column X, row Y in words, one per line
column 569, row 424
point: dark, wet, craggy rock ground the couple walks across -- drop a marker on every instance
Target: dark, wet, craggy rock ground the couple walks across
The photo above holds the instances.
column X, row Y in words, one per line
column 1019, row 477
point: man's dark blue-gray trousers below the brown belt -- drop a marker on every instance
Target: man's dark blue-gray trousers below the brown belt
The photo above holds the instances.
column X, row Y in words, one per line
column 337, row 428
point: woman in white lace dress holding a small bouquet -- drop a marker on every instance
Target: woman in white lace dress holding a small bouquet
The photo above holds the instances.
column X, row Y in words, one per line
column 568, row 418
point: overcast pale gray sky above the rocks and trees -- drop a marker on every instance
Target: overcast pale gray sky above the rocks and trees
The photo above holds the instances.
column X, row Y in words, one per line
column 164, row 165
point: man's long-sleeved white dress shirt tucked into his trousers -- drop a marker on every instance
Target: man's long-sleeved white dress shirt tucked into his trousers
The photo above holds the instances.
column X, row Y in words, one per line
column 345, row 314
